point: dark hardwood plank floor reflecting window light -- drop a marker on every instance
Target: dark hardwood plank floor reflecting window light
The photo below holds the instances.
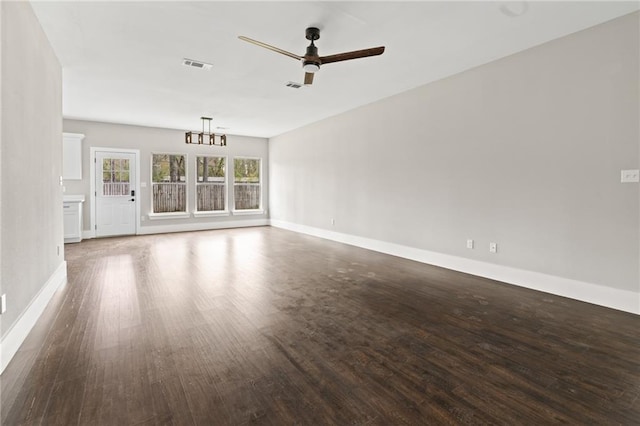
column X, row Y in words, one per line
column 265, row 326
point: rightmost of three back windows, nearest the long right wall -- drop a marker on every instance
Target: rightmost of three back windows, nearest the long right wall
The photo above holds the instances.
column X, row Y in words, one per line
column 247, row 184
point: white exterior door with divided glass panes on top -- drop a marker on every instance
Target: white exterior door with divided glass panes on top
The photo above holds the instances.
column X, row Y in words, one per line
column 115, row 193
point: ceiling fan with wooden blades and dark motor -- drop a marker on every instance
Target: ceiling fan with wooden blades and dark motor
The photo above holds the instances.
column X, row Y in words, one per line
column 311, row 61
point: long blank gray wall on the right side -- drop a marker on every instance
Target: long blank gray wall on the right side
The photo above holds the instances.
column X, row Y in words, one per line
column 525, row 151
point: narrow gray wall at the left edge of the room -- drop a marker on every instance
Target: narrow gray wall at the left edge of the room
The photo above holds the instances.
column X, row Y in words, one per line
column 31, row 160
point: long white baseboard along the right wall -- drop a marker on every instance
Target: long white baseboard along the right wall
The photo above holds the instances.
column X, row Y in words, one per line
column 622, row 300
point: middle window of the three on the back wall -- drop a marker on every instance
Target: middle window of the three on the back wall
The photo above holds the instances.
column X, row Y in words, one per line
column 210, row 184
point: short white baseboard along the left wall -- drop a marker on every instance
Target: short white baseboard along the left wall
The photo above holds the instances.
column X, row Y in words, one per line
column 19, row 331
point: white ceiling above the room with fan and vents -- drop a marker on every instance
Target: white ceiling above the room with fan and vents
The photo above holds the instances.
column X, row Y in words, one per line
column 122, row 61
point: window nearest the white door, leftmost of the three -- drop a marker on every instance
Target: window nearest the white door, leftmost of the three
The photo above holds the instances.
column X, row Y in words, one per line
column 169, row 183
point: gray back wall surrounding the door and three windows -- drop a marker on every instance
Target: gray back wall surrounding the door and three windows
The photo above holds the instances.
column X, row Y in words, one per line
column 149, row 140
